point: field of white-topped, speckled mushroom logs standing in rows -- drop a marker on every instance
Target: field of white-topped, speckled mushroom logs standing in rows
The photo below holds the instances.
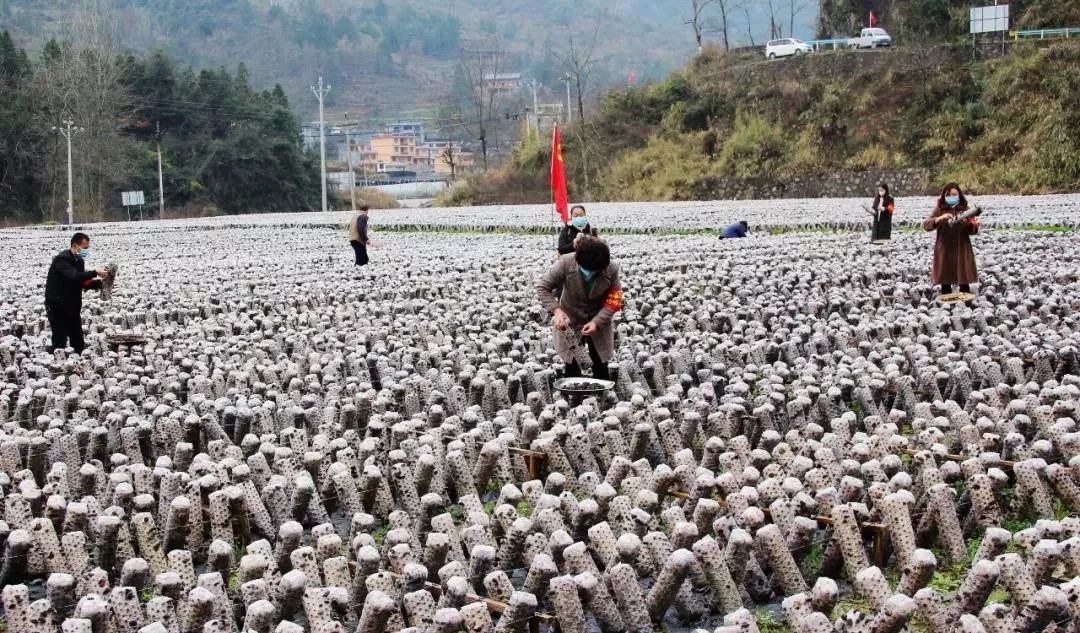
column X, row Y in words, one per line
column 263, row 438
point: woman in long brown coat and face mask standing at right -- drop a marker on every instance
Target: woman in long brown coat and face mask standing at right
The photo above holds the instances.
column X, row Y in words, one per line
column 954, row 261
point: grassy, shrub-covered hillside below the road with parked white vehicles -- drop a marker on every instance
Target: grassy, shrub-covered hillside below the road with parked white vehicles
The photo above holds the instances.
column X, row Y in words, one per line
column 1009, row 125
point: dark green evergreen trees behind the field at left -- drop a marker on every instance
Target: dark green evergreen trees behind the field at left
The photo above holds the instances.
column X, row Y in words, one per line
column 225, row 145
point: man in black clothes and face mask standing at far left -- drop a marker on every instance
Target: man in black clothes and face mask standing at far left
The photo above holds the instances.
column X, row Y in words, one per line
column 64, row 287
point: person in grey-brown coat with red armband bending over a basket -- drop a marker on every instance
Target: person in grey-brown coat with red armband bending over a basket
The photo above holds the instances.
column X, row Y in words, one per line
column 584, row 314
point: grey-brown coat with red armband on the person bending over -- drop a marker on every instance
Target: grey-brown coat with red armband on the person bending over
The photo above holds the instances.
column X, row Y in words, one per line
column 599, row 306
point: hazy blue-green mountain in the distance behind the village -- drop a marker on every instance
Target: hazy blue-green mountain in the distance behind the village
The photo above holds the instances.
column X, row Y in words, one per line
column 393, row 60
